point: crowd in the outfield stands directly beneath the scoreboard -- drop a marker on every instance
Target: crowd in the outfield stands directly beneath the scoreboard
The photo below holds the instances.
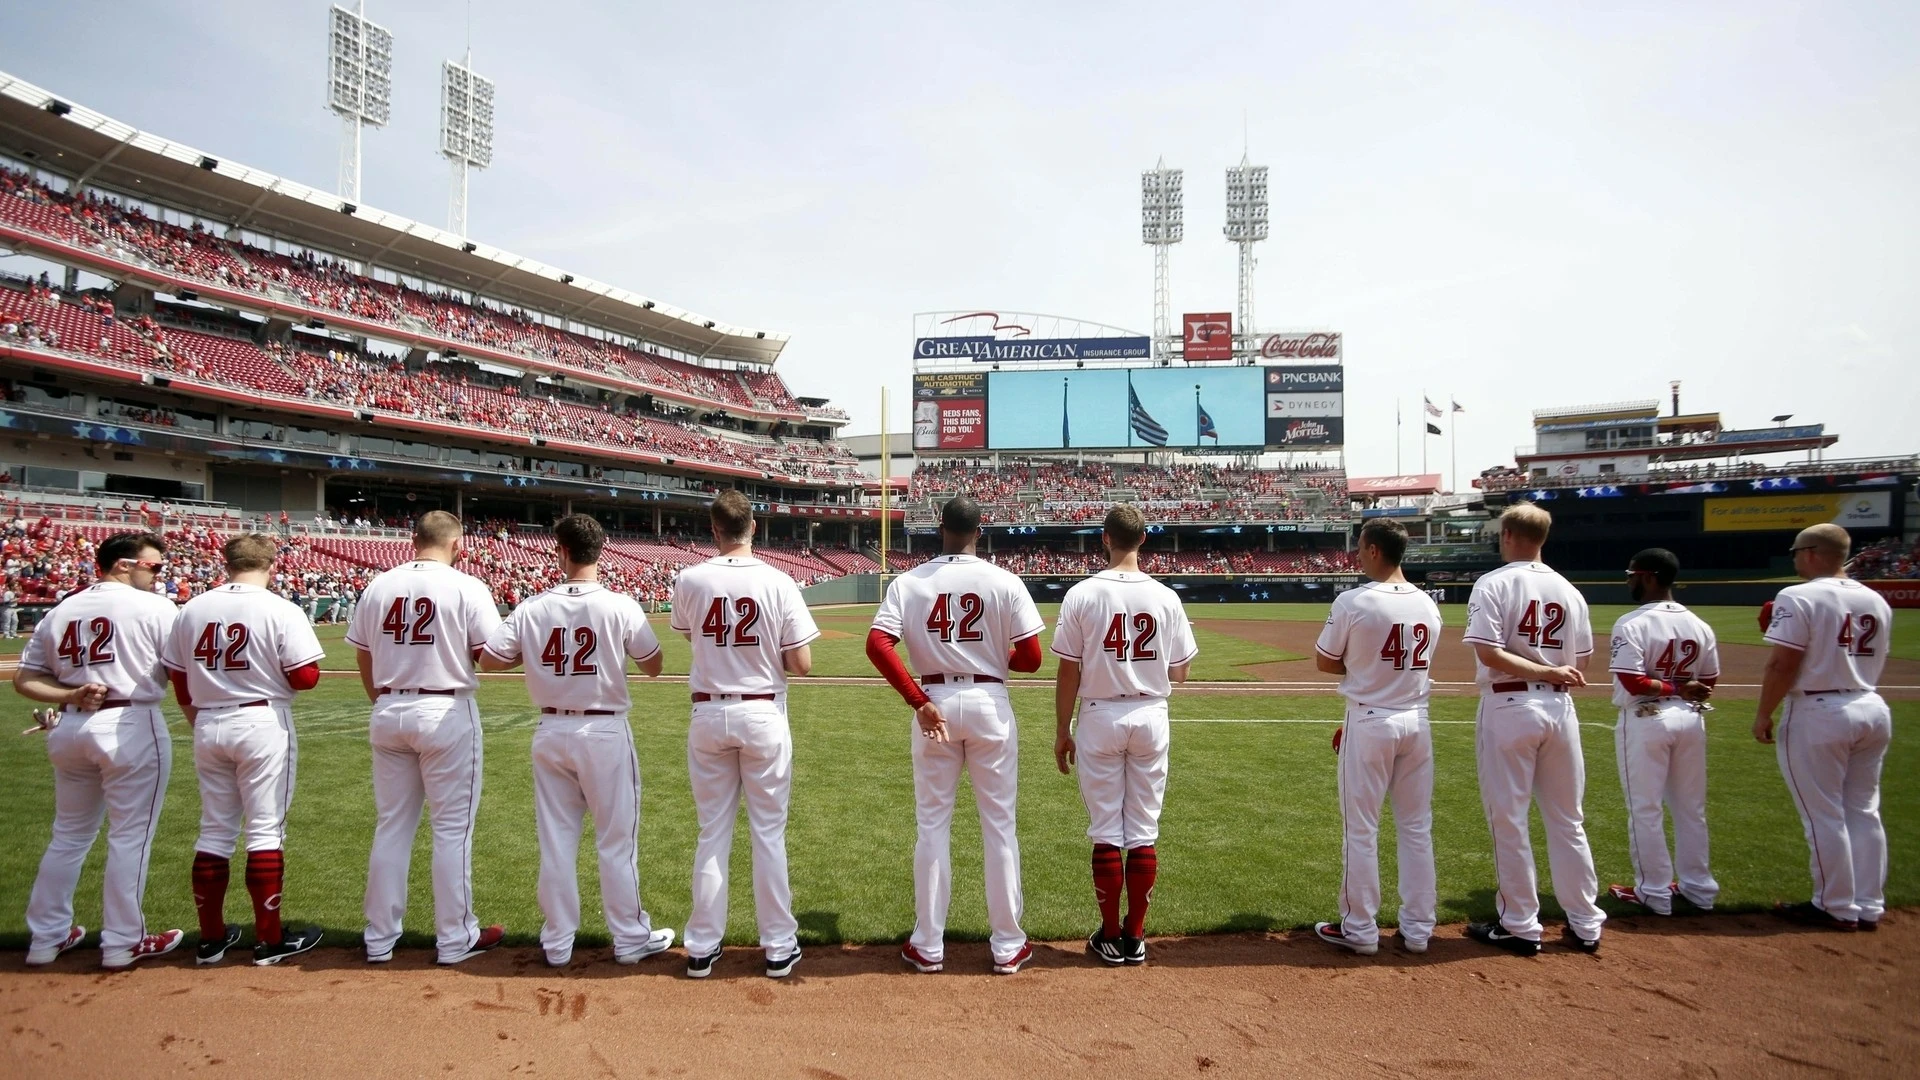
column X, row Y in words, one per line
column 1057, row 491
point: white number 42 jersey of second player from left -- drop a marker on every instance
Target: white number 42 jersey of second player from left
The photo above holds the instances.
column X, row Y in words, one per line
column 237, row 645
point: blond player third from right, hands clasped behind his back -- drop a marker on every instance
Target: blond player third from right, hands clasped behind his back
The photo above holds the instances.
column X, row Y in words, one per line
column 1531, row 639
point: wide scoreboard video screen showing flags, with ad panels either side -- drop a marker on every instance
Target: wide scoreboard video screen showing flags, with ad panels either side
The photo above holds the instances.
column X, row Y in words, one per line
column 1140, row 408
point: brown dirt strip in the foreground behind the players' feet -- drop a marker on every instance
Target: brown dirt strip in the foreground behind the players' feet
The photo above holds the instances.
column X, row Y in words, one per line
column 1689, row 996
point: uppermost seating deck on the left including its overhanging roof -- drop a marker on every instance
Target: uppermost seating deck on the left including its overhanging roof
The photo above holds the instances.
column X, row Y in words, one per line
column 283, row 251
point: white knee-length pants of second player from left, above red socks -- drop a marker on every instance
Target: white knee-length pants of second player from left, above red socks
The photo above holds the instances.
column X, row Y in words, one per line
column 245, row 762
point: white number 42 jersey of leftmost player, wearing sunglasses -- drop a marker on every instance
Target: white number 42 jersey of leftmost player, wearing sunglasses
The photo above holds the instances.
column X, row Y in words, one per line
column 108, row 633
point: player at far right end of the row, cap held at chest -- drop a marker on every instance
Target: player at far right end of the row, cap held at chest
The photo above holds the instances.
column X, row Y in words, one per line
column 1831, row 639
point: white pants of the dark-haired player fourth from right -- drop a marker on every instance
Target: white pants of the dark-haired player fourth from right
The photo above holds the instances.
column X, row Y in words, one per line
column 1387, row 752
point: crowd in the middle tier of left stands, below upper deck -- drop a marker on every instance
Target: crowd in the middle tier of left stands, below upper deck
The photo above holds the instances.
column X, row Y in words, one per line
column 452, row 393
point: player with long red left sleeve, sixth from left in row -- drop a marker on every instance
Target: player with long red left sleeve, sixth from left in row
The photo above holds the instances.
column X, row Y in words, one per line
column 965, row 624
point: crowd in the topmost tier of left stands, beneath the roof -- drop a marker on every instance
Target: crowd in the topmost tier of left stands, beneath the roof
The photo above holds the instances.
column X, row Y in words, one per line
column 331, row 285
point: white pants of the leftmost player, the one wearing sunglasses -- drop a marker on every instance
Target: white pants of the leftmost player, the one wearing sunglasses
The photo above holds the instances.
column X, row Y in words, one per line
column 112, row 764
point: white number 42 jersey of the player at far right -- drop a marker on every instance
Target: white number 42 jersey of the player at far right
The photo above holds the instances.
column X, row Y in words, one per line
column 1840, row 626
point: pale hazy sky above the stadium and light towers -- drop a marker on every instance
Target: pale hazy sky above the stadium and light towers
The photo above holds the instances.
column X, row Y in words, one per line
column 1512, row 205
